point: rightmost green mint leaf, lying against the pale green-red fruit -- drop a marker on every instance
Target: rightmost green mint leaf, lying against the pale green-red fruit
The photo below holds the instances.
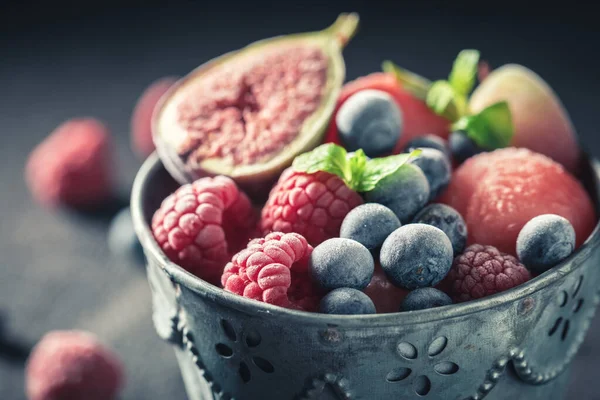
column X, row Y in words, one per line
column 491, row 128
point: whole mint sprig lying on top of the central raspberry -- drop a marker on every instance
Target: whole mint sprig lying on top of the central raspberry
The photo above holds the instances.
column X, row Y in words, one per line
column 358, row 173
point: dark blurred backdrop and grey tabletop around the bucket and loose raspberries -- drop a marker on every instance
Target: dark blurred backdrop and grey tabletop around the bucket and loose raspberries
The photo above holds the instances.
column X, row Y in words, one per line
column 65, row 59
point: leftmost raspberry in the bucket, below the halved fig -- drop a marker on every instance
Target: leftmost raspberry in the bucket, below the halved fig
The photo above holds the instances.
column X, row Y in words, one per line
column 202, row 223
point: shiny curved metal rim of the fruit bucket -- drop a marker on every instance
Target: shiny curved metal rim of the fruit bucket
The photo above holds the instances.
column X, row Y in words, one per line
column 253, row 307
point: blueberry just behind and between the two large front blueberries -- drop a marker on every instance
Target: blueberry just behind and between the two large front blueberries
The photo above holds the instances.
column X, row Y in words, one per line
column 369, row 224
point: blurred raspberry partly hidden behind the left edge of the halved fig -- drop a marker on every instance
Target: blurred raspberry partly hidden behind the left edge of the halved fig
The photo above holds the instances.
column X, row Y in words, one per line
column 141, row 119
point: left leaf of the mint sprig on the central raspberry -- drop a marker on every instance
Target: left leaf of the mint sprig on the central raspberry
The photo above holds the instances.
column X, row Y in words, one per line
column 327, row 157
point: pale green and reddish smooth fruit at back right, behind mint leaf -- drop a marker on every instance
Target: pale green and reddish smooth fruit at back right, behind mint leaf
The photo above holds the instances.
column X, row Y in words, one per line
column 541, row 122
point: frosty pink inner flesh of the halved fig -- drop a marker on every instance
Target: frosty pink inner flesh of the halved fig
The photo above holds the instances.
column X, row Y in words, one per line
column 252, row 109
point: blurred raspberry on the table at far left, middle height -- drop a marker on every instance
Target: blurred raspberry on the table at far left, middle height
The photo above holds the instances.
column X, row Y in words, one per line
column 72, row 165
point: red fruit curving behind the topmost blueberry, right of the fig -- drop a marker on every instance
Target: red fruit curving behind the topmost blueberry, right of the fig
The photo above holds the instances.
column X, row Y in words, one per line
column 418, row 118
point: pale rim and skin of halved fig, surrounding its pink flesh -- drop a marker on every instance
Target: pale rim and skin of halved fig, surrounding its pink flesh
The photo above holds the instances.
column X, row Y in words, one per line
column 257, row 178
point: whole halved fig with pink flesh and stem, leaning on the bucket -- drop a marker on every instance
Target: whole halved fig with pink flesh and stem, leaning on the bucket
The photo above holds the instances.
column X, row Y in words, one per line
column 247, row 114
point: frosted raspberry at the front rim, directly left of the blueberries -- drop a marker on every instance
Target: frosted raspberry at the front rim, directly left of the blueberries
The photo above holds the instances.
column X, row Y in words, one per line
column 274, row 269
